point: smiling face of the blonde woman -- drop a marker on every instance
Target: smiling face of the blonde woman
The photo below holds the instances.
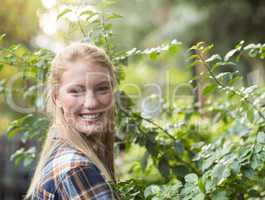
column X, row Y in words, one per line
column 85, row 96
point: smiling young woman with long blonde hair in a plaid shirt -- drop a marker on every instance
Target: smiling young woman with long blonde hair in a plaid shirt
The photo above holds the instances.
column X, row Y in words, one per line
column 76, row 161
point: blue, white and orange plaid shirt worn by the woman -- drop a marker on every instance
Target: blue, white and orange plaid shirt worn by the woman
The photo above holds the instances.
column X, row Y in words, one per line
column 70, row 175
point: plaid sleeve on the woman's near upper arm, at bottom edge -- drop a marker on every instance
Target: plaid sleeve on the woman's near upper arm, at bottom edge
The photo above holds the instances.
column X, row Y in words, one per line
column 84, row 182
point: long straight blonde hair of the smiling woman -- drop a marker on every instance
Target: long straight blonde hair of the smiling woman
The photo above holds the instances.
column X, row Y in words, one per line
column 103, row 158
